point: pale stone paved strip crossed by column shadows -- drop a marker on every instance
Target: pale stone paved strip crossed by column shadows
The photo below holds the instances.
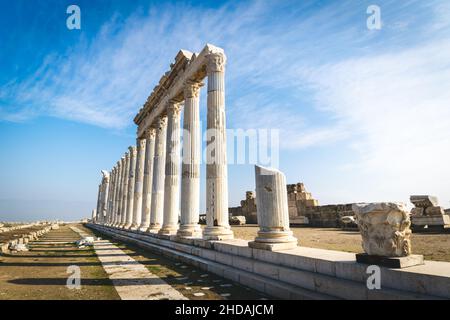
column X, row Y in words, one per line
column 132, row 280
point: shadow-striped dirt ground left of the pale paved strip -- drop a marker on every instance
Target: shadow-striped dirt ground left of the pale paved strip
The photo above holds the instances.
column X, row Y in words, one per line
column 41, row 273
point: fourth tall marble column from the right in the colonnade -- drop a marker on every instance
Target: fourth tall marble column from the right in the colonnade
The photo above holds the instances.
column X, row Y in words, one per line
column 157, row 207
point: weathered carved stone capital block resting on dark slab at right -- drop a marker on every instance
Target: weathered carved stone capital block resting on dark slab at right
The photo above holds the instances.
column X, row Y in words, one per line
column 385, row 228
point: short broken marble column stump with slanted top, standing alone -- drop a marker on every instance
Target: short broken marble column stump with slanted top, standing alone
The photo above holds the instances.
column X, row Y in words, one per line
column 273, row 214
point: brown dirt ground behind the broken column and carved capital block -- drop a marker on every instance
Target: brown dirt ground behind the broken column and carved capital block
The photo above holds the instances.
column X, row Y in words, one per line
column 431, row 246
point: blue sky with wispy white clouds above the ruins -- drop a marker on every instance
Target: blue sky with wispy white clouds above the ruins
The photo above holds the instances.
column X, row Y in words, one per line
column 363, row 114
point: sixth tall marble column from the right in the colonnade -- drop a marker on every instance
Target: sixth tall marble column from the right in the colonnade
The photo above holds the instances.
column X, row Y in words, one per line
column 138, row 184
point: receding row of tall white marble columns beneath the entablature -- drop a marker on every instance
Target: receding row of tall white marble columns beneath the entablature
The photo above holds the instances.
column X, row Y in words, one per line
column 143, row 190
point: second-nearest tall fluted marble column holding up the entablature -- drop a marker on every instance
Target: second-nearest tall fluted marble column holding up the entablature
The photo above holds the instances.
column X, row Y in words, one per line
column 190, row 167
